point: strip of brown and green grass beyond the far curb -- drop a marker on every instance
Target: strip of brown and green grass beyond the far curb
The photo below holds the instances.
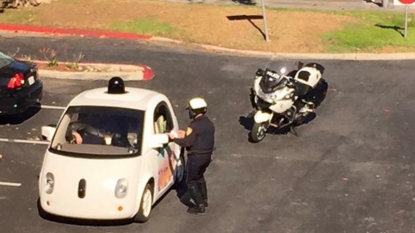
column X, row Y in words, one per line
column 238, row 27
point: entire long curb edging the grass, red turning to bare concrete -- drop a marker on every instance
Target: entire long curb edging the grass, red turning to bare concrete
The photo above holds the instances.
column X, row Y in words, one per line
column 211, row 48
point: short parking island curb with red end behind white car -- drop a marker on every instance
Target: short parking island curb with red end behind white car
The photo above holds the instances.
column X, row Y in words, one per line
column 126, row 72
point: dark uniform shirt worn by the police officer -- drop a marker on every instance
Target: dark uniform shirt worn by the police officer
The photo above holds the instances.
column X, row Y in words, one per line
column 200, row 136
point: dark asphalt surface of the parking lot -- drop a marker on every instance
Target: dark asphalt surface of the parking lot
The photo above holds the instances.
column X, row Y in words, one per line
column 350, row 170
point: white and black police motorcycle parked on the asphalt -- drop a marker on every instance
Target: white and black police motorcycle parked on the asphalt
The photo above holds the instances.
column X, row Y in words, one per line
column 285, row 100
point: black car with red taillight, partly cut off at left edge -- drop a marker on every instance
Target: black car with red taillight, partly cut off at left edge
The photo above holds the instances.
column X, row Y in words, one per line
column 20, row 86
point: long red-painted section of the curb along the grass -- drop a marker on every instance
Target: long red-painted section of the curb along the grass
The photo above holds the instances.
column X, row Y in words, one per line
column 73, row 31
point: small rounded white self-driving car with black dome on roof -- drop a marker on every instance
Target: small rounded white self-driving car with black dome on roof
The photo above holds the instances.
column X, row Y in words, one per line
column 109, row 156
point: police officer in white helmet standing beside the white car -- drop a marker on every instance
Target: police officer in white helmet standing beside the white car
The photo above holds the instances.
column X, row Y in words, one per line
column 199, row 140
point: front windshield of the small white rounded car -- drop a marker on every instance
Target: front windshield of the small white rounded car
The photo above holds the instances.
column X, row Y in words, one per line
column 99, row 131
